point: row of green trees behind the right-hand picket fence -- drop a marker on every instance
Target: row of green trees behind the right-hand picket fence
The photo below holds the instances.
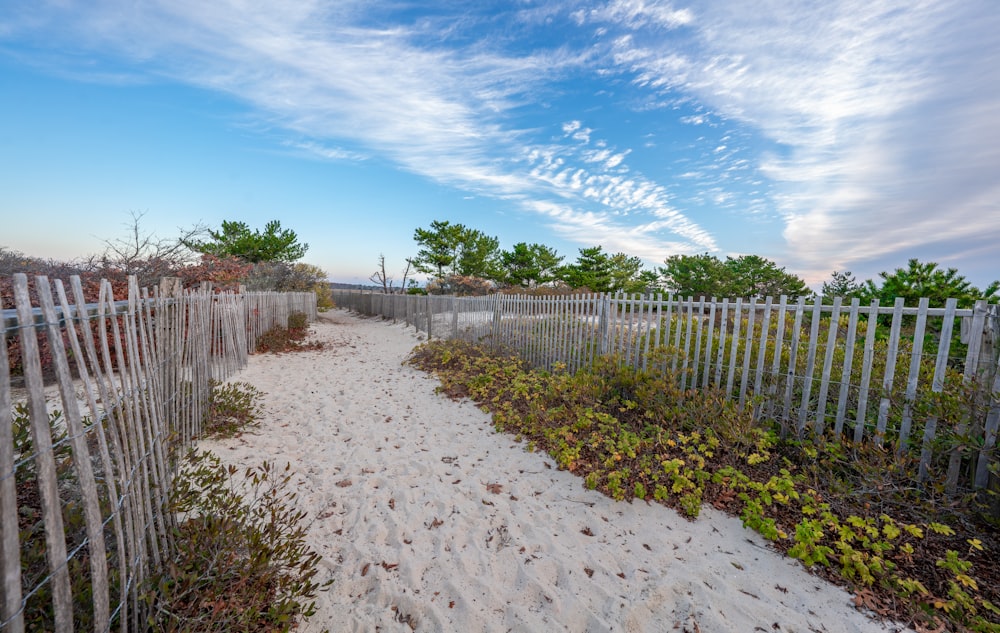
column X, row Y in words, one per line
column 464, row 260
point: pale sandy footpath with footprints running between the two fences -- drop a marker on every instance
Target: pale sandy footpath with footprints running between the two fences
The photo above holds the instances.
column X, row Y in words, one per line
column 429, row 520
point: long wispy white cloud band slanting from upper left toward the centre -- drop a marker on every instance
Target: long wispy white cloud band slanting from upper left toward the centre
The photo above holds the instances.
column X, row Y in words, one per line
column 354, row 84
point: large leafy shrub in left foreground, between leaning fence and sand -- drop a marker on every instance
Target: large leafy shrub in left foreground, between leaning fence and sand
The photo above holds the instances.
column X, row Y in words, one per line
column 241, row 562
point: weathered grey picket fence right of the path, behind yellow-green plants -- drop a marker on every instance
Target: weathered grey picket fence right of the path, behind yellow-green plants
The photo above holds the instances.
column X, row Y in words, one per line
column 900, row 376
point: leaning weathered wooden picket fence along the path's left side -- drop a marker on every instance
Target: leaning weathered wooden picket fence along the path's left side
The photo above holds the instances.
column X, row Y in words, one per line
column 107, row 399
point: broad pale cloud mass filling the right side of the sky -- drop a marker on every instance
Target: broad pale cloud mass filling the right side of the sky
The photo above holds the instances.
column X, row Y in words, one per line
column 887, row 136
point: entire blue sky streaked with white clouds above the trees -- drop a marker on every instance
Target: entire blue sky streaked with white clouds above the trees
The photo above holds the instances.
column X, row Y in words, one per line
column 824, row 135
